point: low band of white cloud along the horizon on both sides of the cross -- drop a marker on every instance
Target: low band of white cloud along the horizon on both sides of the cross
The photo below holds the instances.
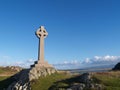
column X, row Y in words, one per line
column 73, row 64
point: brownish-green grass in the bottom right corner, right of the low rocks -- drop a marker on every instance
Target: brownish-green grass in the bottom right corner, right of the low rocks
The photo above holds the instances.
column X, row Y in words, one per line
column 111, row 80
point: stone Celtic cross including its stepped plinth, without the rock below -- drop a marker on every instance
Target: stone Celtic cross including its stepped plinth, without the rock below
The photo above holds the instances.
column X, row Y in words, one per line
column 41, row 33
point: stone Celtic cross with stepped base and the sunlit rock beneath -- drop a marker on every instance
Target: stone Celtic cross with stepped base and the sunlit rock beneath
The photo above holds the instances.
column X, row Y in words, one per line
column 41, row 67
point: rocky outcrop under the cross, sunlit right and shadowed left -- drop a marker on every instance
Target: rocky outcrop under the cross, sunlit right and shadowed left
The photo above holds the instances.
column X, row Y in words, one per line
column 23, row 78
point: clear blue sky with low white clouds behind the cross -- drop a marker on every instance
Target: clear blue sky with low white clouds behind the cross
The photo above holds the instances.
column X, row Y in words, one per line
column 79, row 31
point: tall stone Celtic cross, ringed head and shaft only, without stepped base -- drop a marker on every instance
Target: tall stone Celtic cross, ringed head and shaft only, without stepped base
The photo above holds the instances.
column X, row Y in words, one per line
column 41, row 34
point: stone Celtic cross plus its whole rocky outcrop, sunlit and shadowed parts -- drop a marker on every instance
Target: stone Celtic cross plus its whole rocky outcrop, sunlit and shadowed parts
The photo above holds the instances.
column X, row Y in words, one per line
column 22, row 80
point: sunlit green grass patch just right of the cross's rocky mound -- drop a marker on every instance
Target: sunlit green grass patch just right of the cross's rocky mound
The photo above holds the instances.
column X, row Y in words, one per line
column 44, row 83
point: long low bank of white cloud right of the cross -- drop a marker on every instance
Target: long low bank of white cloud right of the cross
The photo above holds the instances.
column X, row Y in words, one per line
column 89, row 62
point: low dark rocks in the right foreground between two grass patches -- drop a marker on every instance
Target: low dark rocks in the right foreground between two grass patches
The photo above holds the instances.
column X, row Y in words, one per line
column 85, row 83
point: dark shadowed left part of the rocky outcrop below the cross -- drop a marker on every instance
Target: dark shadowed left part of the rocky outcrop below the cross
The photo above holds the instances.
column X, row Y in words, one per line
column 21, row 81
